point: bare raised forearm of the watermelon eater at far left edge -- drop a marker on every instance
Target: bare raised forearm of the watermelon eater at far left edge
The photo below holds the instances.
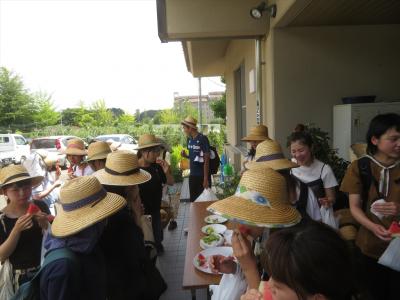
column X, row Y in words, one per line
column 7, row 248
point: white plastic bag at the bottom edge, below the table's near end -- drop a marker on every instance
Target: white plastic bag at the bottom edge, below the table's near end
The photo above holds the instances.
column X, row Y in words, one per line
column 231, row 287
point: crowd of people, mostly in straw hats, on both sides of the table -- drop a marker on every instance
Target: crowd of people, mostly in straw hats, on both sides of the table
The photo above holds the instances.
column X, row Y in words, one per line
column 83, row 238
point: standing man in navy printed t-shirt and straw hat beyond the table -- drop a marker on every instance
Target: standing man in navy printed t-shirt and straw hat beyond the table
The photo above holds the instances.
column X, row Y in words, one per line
column 199, row 157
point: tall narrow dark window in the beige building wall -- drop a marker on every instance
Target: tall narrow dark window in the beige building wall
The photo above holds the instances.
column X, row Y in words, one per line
column 240, row 104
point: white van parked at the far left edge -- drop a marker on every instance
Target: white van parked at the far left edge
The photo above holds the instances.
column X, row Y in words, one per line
column 13, row 148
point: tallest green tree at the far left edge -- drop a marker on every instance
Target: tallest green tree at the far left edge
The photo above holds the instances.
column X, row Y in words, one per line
column 16, row 104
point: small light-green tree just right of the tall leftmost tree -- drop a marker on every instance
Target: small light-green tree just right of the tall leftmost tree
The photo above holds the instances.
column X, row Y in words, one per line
column 45, row 115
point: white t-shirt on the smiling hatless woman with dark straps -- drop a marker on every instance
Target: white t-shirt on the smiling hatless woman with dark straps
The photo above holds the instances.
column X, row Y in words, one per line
column 311, row 173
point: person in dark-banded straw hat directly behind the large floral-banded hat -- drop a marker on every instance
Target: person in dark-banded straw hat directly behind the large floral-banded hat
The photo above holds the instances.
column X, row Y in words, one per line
column 269, row 154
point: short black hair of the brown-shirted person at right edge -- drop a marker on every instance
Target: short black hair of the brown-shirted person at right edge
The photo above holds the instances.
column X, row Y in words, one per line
column 378, row 126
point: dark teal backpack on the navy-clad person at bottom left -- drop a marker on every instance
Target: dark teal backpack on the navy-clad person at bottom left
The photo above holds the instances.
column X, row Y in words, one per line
column 31, row 289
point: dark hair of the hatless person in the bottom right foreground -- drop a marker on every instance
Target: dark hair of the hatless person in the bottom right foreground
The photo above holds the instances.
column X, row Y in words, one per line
column 310, row 259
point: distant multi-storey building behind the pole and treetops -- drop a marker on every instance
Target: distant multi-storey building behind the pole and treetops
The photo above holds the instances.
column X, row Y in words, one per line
column 206, row 111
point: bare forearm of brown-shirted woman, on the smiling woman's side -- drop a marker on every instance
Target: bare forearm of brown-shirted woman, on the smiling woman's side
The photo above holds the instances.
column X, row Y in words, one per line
column 359, row 215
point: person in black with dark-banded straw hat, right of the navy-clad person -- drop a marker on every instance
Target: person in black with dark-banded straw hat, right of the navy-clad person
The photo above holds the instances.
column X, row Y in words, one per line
column 122, row 241
